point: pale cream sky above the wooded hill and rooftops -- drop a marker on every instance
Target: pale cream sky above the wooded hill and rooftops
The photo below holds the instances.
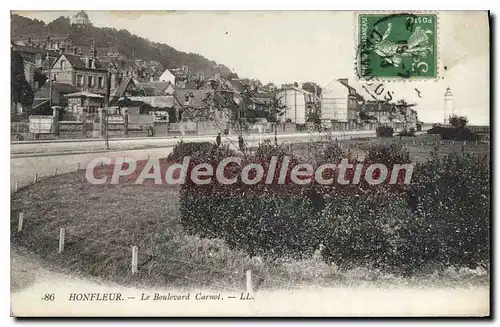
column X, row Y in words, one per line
column 300, row 46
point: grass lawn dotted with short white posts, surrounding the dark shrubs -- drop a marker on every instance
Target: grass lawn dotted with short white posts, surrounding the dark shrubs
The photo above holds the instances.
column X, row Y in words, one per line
column 103, row 222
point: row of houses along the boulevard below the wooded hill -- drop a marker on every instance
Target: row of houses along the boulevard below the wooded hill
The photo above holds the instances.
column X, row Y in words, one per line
column 82, row 82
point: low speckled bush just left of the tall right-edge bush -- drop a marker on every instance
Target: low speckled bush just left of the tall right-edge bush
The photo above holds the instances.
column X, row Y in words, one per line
column 374, row 231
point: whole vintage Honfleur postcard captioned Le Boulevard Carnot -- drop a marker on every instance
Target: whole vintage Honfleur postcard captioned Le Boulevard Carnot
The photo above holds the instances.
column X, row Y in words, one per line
column 250, row 163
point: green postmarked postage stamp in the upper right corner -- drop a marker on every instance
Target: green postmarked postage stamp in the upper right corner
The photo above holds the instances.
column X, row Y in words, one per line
column 397, row 45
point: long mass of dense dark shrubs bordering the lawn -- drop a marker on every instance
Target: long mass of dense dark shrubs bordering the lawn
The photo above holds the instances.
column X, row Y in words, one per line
column 441, row 218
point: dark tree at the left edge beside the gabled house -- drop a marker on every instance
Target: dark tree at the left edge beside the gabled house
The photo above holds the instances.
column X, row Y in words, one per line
column 21, row 91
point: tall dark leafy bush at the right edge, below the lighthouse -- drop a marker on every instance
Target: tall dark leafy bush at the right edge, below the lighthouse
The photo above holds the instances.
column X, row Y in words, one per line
column 452, row 195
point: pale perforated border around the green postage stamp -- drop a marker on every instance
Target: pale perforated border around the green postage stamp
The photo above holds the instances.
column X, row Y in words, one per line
column 396, row 79
